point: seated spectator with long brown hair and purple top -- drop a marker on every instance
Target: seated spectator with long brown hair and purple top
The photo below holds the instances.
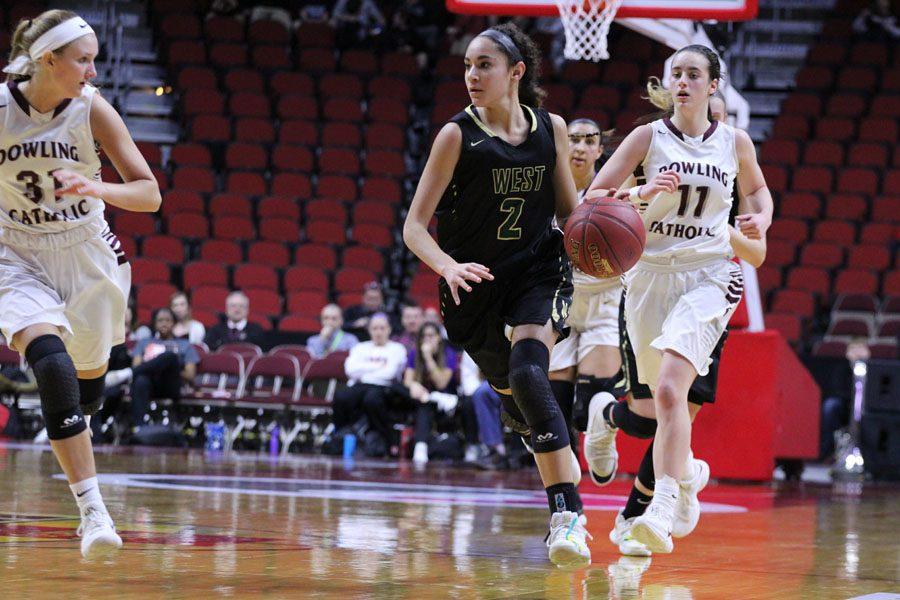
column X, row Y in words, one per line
column 431, row 367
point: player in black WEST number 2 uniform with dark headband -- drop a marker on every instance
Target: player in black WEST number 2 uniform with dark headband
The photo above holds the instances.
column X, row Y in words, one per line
column 497, row 175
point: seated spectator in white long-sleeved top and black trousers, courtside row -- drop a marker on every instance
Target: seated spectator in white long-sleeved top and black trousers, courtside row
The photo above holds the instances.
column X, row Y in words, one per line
column 373, row 368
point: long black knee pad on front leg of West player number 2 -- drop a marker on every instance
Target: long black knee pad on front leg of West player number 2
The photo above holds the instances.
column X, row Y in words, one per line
column 529, row 362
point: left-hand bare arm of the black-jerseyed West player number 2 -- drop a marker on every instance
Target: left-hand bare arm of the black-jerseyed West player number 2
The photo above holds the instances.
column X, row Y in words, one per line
column 435, row 179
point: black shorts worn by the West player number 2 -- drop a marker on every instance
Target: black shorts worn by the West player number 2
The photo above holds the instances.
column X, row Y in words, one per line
column 542, row 292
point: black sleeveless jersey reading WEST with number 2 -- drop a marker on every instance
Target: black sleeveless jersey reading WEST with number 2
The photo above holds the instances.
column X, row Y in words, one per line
column 499, row 206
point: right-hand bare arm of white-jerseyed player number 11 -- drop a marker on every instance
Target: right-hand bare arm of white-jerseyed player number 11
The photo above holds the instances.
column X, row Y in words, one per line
column 756, row 206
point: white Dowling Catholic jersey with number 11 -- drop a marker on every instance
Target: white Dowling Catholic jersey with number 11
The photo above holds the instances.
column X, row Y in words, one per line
column 691, row 224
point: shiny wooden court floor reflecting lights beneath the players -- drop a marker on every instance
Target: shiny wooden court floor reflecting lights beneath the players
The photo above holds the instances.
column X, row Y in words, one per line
column 251, row 526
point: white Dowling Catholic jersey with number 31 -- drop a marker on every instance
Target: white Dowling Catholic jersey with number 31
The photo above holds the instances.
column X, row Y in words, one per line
column 32, row 146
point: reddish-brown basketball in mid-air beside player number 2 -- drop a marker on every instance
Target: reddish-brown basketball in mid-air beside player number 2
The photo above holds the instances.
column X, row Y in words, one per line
column 604, row 238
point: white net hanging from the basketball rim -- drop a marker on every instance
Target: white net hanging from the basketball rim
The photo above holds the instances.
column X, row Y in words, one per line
column 586, row 23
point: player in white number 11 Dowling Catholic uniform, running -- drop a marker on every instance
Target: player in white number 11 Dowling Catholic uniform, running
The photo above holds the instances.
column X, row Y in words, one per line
column 682, row 292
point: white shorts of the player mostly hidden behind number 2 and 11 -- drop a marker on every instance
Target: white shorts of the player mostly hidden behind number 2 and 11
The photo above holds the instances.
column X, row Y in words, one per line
column 594, row 321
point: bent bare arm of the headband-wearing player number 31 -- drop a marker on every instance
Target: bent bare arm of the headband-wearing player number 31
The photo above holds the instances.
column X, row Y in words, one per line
column 140, row 192
